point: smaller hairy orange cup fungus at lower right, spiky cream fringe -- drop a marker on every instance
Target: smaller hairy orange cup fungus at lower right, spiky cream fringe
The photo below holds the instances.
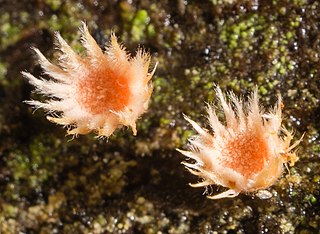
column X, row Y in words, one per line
column 246, row 154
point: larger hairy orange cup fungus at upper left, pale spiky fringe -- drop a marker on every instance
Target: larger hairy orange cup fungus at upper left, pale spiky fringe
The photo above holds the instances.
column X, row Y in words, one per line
column 99, row 92
